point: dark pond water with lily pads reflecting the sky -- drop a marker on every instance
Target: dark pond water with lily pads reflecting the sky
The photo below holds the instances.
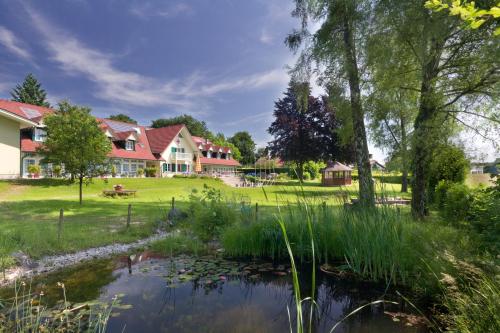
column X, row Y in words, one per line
column 214, row 295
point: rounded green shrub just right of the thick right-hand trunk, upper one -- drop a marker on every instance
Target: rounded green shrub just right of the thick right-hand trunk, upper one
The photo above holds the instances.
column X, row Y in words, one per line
column 448, row 163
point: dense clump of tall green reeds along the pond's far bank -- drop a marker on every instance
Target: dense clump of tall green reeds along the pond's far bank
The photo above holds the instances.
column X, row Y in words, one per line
column 378, row 244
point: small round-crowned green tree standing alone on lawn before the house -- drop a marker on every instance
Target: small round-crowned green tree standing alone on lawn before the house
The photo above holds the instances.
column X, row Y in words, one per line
column 75, row 139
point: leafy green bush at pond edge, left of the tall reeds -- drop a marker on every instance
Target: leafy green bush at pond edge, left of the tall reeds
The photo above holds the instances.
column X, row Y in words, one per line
column 210, row 213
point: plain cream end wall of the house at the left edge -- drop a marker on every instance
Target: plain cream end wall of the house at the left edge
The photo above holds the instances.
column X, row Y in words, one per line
column 10, row 151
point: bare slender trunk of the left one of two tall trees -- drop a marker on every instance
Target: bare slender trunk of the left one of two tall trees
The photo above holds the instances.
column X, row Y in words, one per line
column 366, row 190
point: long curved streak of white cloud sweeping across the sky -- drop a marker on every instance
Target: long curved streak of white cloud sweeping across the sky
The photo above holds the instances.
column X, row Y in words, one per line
column 116, row 85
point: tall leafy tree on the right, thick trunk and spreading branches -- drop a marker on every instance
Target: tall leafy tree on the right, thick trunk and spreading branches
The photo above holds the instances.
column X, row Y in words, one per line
column 457, row 83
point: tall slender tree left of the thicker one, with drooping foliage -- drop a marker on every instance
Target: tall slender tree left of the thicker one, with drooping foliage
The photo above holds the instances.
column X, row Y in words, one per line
column 338, row 48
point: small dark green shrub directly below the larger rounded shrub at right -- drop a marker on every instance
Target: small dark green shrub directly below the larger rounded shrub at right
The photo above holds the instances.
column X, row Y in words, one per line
column 457, row 202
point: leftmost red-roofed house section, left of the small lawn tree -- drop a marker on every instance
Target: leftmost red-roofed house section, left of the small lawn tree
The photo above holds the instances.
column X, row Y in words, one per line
column 21, row 132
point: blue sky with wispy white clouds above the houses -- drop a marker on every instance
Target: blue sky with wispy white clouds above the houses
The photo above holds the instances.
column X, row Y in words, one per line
column 221, row 61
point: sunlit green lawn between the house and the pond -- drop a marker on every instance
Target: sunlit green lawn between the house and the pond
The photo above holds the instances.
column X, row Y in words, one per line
column 29, row 209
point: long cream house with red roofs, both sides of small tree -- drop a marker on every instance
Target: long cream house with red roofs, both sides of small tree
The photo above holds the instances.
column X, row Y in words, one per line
column 170, row 150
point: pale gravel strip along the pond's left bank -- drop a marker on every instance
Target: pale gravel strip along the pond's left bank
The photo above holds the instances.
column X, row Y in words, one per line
column 29, row 268
